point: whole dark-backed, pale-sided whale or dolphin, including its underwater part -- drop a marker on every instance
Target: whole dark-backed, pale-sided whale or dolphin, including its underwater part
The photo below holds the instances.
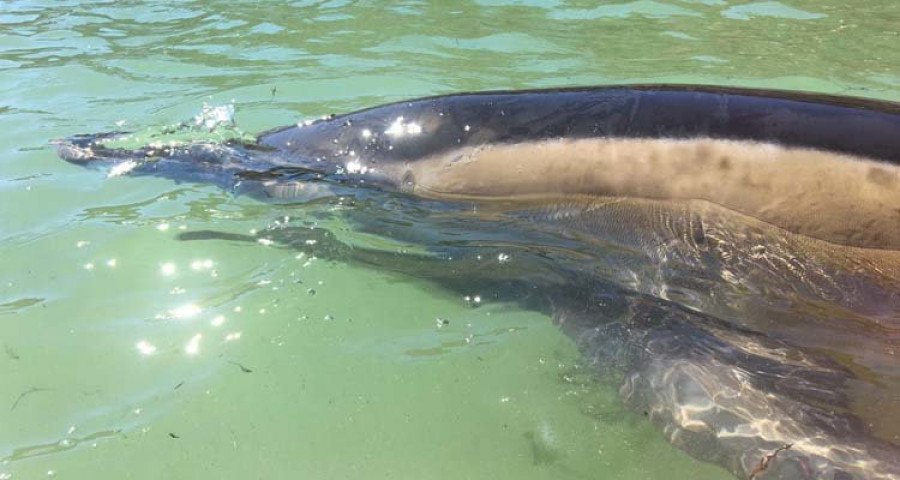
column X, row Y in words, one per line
column 733, row 254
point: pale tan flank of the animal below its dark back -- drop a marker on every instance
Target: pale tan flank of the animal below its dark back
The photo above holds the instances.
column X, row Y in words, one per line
column 832, row 197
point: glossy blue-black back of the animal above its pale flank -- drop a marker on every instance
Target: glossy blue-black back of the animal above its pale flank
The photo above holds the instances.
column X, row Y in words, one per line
column 856, row 126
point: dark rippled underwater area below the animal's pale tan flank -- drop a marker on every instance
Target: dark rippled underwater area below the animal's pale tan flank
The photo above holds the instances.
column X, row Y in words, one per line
column 735, row 337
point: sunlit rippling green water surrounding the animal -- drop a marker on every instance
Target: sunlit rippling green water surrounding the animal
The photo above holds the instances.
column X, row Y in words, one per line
column 129, row 354
